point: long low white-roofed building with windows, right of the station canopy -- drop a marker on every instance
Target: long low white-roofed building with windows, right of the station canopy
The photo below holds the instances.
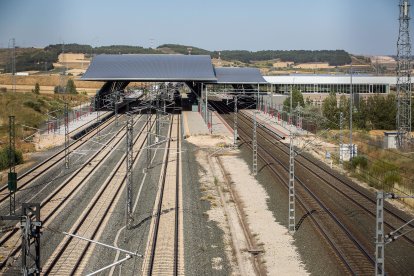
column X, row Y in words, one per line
column 332, row 83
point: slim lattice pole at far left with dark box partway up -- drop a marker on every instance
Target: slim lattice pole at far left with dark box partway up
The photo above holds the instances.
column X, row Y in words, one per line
column 12, row 177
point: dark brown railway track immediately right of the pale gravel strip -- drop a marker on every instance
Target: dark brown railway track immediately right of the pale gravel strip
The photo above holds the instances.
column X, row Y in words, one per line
column 354, row 257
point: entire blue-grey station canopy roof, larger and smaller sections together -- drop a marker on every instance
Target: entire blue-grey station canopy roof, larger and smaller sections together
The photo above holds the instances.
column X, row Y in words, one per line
column 162, row 68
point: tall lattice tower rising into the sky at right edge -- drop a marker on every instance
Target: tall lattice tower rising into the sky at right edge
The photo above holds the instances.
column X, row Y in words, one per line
column 403, row 75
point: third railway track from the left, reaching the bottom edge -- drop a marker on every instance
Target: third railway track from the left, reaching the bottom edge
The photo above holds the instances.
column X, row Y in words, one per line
column 69, row 256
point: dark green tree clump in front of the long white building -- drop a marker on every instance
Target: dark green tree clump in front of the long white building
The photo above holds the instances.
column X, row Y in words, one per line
column 376, row 112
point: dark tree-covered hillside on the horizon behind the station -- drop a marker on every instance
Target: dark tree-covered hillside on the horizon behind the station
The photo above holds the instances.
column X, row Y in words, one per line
column 39, row 59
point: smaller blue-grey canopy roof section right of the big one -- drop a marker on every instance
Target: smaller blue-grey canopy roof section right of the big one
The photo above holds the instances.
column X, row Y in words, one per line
column 239, row 75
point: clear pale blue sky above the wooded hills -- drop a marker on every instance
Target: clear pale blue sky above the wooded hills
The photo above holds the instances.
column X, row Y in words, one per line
column 367, row 27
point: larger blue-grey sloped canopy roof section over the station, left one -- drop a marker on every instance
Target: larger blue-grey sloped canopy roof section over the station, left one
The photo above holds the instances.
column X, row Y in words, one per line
column 151, row 68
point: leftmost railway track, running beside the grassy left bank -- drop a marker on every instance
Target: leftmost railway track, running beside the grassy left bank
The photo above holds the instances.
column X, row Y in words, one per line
column 25, row 180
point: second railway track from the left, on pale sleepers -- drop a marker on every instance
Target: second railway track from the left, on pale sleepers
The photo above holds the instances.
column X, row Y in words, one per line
column 59, row 198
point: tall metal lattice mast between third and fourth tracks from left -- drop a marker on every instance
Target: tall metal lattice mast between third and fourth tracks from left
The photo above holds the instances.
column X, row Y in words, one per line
column 129, row 162
